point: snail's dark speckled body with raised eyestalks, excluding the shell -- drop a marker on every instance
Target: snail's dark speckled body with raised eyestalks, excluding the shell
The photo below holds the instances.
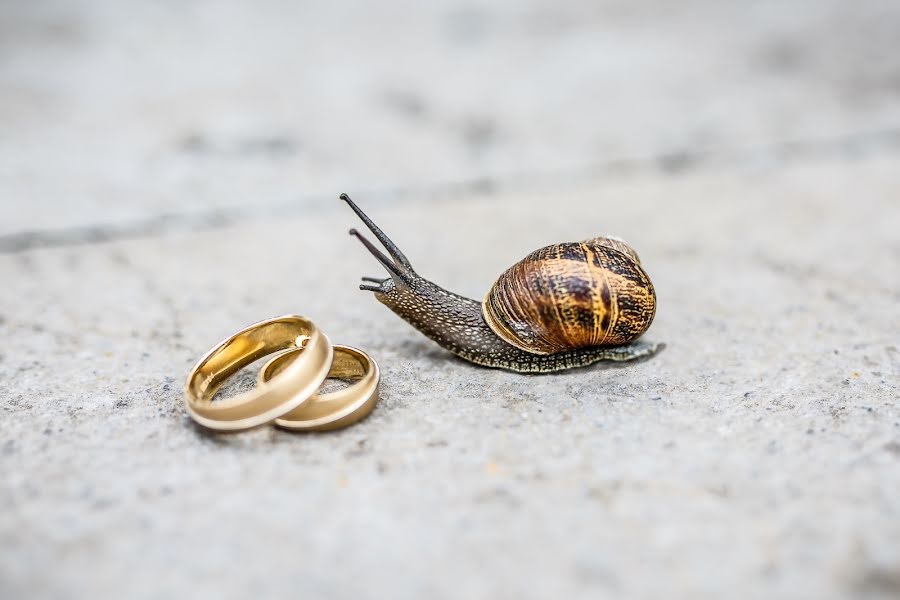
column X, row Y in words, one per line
column 457, row 324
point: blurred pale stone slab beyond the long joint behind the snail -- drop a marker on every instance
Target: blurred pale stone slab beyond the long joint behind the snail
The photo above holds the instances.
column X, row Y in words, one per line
column 118, row 112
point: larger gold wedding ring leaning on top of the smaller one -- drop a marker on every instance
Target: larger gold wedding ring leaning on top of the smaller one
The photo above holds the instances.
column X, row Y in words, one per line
column 294, row 385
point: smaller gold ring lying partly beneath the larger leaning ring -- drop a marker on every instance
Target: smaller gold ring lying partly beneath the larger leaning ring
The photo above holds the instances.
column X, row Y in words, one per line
column 331, row 410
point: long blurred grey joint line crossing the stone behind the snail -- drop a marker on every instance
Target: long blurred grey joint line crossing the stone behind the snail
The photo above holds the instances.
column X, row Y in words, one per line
column 853, row 145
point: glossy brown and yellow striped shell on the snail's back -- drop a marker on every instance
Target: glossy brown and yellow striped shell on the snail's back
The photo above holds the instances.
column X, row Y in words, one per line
column 572, row 295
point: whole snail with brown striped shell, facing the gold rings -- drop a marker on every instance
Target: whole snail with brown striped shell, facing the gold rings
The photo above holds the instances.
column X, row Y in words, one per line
column 564, row 306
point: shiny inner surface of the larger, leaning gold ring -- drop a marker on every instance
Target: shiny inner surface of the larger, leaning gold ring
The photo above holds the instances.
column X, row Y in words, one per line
column 243, row 350
